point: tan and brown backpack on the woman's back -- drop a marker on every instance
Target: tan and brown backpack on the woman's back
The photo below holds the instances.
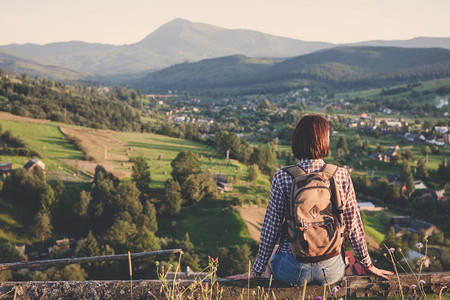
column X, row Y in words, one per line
column 315, row 225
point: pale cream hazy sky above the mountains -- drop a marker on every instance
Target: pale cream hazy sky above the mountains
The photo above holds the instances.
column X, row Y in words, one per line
column 128, row 21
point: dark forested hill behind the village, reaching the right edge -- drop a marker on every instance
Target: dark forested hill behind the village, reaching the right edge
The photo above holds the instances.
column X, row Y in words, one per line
column 350, row 67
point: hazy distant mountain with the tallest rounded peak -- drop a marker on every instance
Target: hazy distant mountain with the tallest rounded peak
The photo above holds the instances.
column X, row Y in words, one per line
column 175, row 42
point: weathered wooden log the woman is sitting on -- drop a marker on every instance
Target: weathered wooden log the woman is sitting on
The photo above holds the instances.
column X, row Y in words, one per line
column 350, row 287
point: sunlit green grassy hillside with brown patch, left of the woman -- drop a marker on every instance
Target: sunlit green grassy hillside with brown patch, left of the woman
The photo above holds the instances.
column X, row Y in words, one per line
column 113, row 151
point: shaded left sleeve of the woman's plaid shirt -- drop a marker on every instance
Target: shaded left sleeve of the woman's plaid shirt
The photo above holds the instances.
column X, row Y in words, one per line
column 273, row 219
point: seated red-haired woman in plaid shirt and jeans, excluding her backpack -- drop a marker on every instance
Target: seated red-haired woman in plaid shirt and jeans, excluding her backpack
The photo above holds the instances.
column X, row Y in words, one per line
column 310, row 144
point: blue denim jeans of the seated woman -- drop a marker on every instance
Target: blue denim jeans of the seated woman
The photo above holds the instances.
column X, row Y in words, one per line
column 287, row 269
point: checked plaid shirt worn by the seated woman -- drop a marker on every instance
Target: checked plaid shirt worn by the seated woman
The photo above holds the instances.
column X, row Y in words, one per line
column 278, row 208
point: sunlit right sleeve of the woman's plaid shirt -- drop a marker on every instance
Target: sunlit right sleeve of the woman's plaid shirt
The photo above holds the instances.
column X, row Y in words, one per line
column 353, row 224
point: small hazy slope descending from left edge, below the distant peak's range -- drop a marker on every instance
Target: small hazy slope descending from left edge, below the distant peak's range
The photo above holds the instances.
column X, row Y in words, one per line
column 22, row 65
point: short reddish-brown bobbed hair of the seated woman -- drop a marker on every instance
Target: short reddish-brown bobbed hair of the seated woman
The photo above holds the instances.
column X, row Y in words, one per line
column 311, row 138
